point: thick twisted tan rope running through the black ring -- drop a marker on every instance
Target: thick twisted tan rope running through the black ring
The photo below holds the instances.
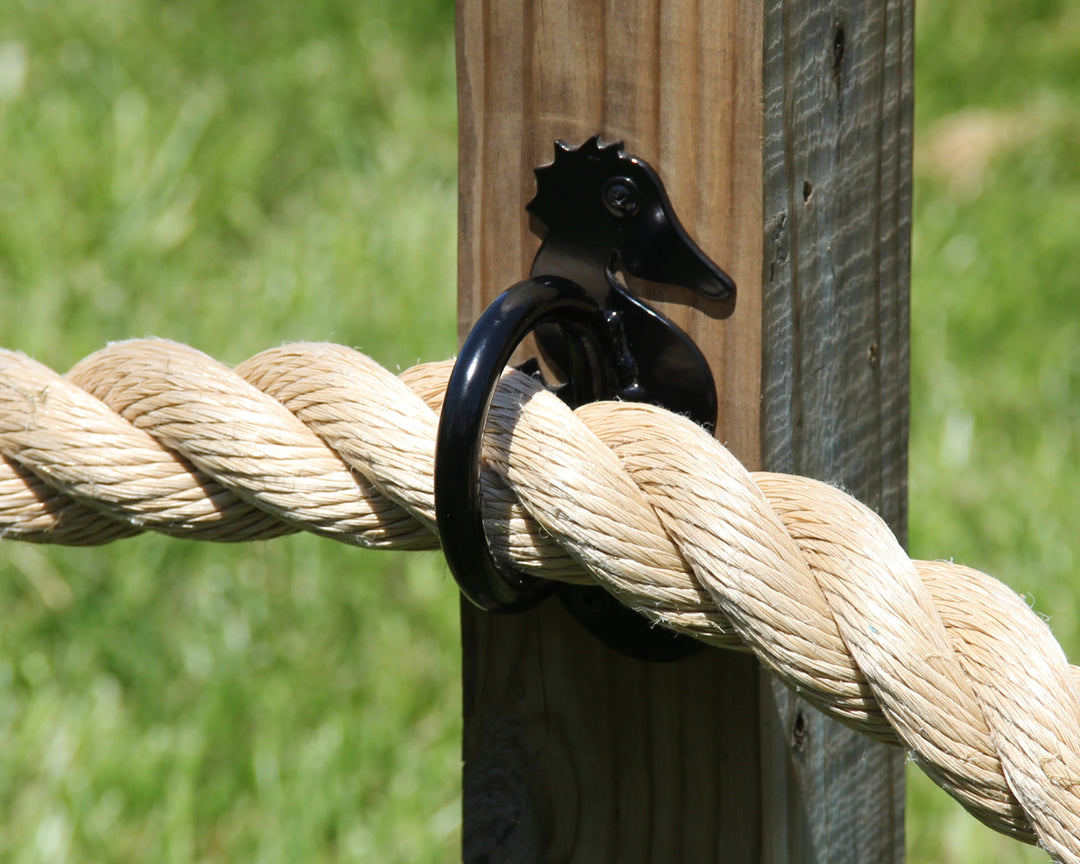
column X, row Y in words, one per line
column 930, row 656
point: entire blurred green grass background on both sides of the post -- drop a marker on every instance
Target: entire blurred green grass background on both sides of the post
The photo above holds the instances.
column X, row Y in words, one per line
column 240, row 174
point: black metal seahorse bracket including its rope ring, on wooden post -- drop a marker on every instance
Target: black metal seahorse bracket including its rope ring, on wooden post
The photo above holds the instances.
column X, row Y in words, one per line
column 601, row 213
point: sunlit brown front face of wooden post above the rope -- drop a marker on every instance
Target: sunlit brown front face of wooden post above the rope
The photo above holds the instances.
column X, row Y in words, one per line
column 680, row 84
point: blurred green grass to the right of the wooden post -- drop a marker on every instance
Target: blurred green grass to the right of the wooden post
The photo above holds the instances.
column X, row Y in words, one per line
column 995, row 458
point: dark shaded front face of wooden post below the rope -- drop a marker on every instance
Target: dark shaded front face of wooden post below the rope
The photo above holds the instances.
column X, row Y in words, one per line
column 576, row 753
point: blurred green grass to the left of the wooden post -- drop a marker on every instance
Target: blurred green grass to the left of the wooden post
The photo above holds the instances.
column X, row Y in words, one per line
column 232, row 175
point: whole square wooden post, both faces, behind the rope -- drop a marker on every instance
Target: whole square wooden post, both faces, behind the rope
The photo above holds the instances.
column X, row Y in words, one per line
column 782, row 130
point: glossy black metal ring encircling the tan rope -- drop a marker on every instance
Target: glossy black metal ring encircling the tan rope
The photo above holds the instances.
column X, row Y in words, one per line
column 484, row 356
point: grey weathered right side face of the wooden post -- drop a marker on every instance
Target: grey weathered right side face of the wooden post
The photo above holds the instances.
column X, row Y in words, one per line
column 838, row 223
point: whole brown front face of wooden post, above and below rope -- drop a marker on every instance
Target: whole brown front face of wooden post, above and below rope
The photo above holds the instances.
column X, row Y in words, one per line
column 573, row 752
